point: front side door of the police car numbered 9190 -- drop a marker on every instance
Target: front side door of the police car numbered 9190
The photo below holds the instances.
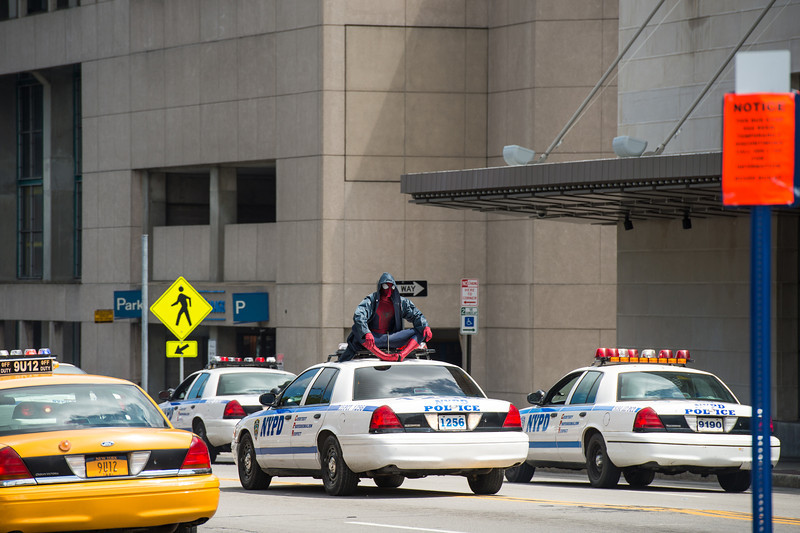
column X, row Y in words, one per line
column 543, row 422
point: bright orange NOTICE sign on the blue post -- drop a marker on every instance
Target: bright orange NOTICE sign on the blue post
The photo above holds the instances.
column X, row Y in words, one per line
column 758, row 144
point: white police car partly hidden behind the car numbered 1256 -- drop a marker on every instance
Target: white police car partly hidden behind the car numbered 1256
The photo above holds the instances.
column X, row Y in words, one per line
column 210, row 401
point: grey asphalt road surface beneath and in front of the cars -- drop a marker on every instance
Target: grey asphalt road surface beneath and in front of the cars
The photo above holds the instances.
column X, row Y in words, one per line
column 554, row 501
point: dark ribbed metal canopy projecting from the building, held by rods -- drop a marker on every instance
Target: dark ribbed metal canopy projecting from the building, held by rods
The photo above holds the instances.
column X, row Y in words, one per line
column 603, row 191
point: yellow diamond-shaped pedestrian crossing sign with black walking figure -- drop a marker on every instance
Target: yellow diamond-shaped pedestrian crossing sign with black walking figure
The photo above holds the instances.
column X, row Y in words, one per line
column 181, row 308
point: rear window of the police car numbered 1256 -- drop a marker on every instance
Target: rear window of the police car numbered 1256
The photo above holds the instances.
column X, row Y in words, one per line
column 394, row 381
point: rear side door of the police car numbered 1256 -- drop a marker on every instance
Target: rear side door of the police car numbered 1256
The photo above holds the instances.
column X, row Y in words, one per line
column 308, row 420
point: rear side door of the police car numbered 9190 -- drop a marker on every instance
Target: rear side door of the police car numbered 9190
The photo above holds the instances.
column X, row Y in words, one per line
column 575, row 415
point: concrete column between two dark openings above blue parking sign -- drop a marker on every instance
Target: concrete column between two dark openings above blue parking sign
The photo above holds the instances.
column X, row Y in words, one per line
column 222, row 211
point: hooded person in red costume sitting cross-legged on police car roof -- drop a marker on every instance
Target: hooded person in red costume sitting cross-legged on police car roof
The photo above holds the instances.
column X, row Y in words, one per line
column 378, row 323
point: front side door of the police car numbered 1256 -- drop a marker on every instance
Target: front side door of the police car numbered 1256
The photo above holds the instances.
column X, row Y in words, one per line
column 274, row 429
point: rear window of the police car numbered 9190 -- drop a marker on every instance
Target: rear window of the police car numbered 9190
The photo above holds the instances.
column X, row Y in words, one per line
column 658, row 385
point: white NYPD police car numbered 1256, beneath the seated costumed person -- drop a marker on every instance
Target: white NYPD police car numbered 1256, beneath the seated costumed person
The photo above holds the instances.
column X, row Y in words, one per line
column 368, row 418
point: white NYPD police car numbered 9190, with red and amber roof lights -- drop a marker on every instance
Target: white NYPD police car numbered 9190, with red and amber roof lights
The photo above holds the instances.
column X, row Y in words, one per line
column 637, row 415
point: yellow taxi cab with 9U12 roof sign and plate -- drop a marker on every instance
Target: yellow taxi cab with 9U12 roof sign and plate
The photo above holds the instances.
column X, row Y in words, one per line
column 84, row 452
